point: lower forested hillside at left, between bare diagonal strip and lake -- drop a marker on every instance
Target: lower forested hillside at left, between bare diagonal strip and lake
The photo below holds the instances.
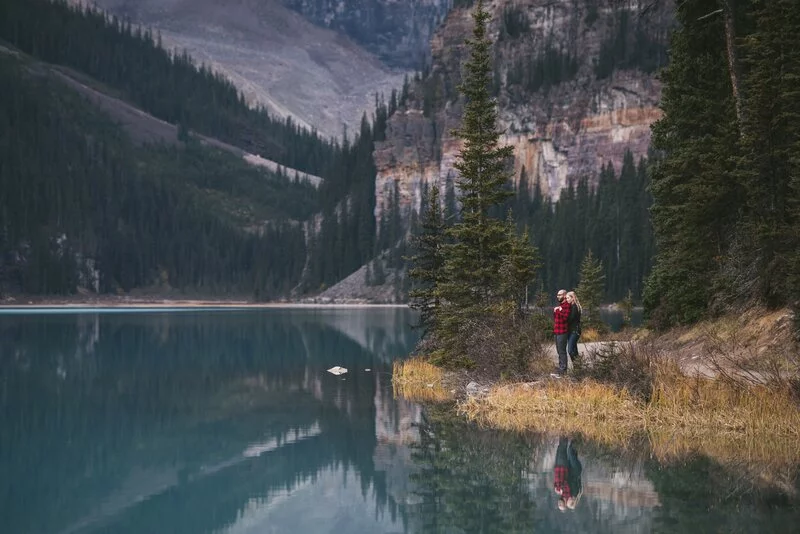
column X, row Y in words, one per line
column 82, row 206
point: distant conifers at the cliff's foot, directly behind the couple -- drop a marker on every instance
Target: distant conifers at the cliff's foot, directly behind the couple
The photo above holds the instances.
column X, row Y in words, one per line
column 611, row 220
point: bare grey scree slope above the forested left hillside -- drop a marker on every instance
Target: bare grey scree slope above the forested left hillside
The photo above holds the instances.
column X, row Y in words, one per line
column 272, row 54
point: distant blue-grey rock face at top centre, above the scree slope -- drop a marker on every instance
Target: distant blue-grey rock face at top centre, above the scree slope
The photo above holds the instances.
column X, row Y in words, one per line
column 397, row 31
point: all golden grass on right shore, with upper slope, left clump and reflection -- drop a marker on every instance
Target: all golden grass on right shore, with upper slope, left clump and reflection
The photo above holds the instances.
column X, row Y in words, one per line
column 750, row 425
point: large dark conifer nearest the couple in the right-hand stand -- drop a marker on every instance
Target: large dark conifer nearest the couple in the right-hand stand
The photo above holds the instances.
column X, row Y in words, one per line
column 694, row 186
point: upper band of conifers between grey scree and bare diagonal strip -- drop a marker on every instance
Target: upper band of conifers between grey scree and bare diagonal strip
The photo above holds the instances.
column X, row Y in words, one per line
column 171, row 87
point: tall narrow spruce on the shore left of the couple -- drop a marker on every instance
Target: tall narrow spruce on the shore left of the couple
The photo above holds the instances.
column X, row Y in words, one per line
column 486, row 266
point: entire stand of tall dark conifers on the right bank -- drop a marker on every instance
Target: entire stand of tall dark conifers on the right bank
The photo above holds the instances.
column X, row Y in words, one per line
column 726, row 194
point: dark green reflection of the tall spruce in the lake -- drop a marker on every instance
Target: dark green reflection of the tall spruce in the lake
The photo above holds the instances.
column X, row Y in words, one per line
column 470, row 479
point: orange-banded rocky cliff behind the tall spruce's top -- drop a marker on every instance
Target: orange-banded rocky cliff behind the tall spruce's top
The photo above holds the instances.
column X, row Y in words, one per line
column 576, row 87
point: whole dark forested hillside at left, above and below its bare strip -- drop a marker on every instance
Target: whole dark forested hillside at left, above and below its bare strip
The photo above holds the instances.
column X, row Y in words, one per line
column 162, row 217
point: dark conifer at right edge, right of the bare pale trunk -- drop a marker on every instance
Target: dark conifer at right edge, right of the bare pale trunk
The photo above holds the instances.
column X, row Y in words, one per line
column 771, row 129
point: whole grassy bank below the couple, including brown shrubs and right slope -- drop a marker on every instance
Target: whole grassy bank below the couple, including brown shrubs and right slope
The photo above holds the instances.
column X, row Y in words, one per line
column 645, row 389
